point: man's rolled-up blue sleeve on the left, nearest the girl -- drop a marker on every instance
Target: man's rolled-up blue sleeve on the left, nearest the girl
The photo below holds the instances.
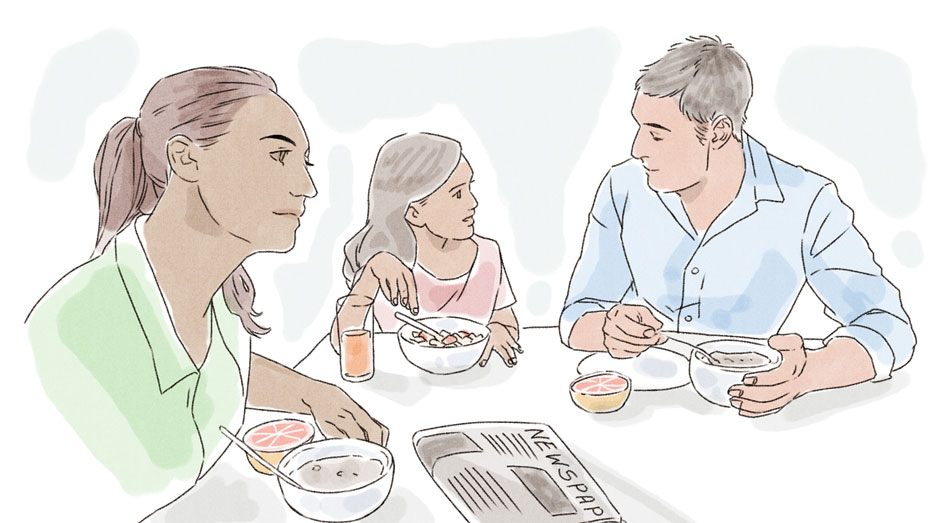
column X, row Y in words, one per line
column 602, row 276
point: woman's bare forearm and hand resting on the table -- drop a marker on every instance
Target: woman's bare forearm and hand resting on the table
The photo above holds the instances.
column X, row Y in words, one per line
column 274, row 386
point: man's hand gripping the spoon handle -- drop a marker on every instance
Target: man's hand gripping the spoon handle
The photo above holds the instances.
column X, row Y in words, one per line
column 630, row 330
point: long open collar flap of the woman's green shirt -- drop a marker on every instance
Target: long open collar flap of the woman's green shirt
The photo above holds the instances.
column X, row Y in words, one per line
column 171, row 361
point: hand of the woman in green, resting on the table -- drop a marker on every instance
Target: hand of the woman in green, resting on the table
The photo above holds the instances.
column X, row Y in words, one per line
column 338, row 416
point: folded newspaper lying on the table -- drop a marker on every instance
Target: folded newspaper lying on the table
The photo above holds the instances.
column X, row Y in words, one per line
column 511, row 472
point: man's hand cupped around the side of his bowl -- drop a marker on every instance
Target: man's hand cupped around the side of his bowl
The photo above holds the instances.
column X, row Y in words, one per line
column 767, row 392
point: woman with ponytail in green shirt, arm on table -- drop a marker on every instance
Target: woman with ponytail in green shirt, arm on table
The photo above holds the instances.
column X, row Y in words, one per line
column 145, row 348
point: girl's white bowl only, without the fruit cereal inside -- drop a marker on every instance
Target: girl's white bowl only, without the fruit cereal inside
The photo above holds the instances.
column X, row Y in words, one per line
column 448, row 360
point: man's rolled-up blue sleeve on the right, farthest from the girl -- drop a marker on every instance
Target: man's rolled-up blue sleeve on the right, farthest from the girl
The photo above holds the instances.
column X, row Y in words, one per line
column 840, row 268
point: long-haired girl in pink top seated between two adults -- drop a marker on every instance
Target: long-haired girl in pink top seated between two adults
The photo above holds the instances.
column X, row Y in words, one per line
column 422, row 215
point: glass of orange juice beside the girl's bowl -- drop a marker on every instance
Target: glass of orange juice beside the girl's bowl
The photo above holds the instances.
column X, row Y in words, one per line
column 355, row 319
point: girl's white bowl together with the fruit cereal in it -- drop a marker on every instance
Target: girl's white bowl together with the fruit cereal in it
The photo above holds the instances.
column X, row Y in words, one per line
column 462, row 343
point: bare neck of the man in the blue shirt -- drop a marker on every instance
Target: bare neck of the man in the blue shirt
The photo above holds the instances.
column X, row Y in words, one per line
column 705, row 200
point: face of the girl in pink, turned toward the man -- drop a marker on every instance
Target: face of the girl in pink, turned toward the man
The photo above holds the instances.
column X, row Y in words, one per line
column 449, row 212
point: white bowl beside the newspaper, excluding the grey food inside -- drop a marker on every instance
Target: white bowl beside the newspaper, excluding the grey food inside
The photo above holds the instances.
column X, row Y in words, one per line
column 348, row 505
